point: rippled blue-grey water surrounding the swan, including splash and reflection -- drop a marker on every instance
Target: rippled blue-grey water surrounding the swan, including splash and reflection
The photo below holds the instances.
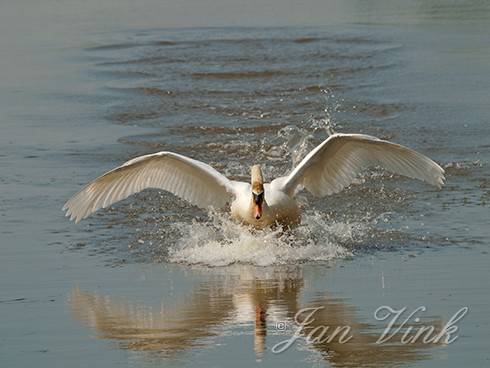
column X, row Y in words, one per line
column 154, row 281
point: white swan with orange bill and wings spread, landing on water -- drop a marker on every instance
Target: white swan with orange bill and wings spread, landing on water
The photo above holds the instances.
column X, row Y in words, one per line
column 327, row 169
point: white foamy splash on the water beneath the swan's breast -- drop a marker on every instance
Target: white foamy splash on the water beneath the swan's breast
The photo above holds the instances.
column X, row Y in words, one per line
column 223, row 242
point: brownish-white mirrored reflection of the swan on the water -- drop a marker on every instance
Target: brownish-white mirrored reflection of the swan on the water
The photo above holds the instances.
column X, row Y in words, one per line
column 261, row 298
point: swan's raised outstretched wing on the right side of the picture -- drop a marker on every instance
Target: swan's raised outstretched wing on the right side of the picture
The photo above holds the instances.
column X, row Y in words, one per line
column 335, row 163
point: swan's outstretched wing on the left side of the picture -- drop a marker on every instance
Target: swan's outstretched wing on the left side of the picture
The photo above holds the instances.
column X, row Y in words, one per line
column 187, row 178
